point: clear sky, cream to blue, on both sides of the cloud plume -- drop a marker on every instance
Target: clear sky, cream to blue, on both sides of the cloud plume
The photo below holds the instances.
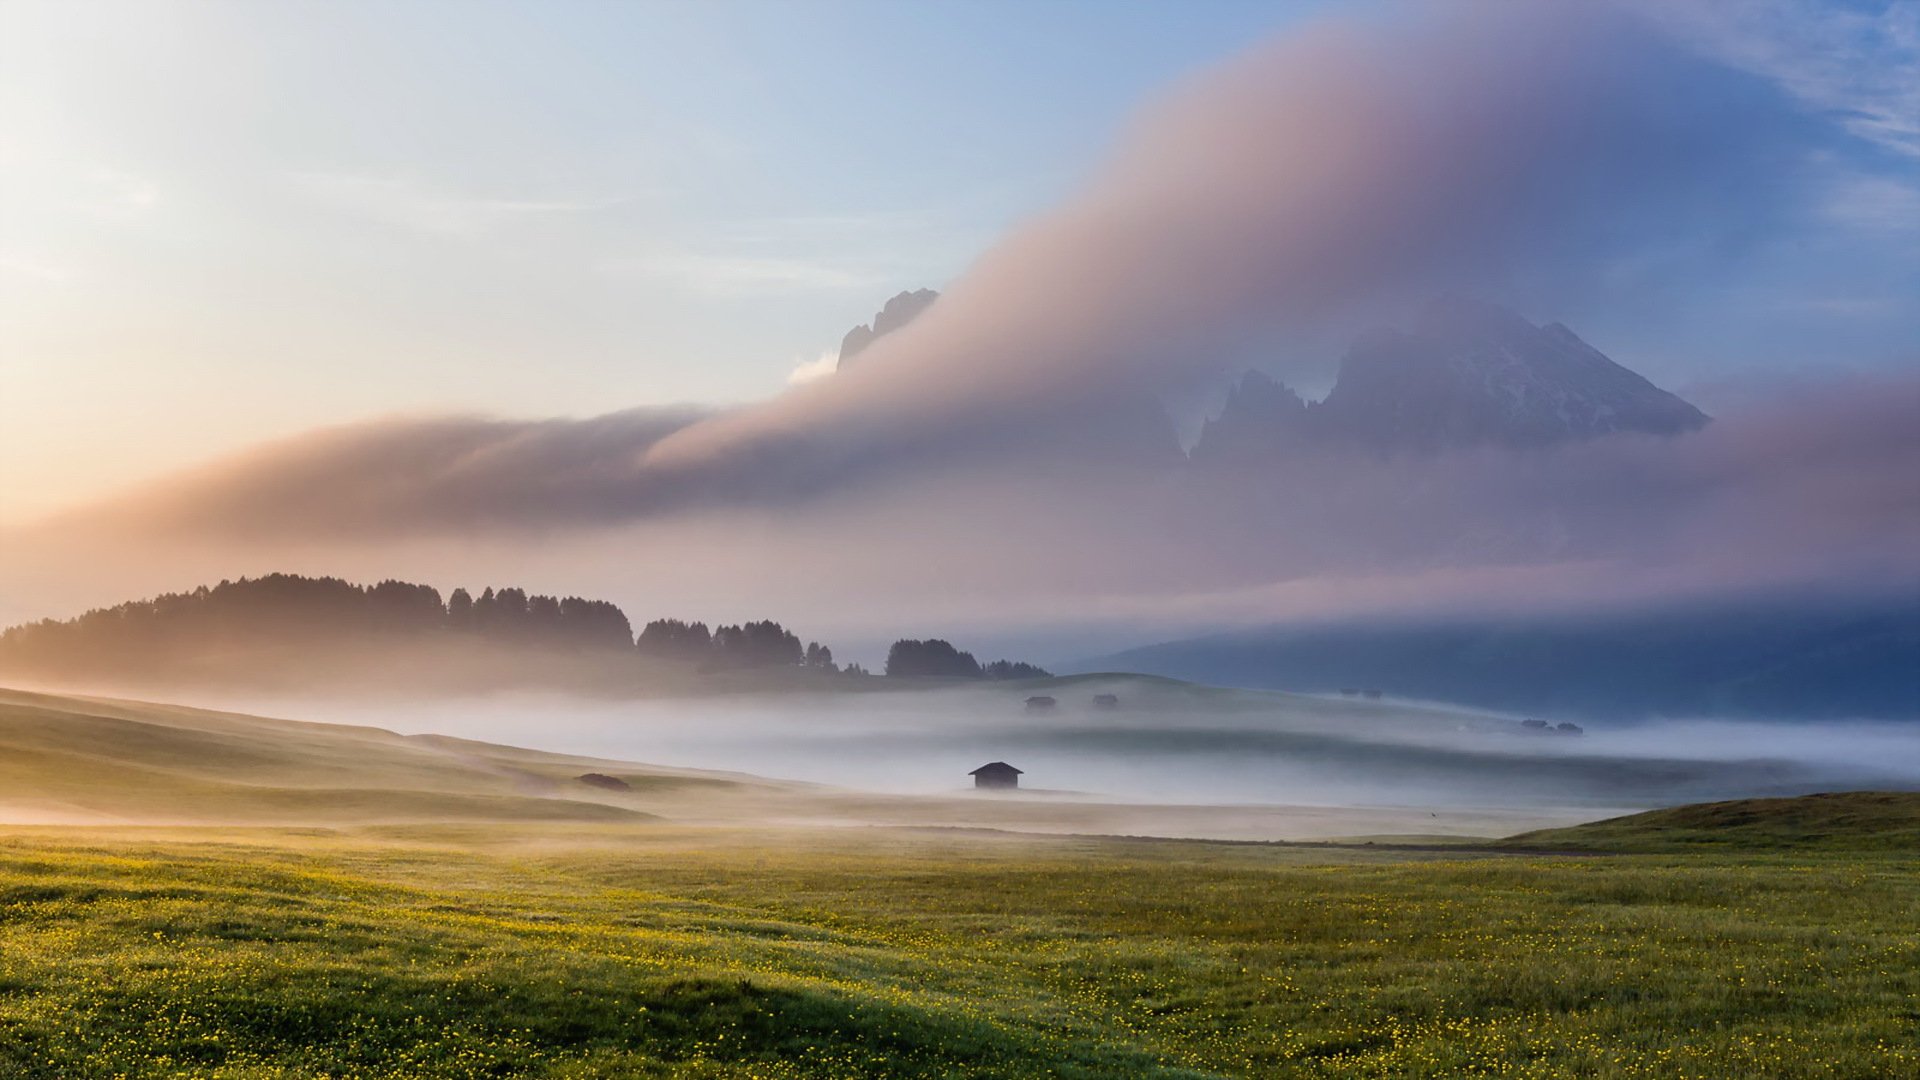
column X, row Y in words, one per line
column 228, row 222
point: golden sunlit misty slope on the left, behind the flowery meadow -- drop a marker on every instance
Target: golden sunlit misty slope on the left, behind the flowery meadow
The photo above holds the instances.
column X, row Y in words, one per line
column 95, row 760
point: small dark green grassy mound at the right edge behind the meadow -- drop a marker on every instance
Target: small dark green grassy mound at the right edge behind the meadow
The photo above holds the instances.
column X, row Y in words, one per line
column 1844, row 822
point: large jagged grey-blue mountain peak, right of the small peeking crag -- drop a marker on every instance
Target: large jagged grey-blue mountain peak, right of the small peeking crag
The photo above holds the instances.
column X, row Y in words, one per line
column 1466, row 374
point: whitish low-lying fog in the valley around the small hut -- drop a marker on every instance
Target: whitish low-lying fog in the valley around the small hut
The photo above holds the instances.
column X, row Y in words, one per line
column 1180, row 745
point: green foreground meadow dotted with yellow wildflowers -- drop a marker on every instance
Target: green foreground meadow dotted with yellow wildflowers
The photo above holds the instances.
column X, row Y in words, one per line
column 619, row 950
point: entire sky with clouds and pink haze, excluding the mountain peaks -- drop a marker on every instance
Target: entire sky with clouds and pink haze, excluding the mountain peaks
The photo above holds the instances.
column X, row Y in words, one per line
column 517, row 291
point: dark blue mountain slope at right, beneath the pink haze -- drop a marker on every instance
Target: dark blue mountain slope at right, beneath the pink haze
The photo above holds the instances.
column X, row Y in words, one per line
column 1754, row 660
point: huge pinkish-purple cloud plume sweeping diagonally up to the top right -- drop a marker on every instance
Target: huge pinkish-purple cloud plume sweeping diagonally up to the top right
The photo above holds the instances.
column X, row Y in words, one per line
column 1324, row 174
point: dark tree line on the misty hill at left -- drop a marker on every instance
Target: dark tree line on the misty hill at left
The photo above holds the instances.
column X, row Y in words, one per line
column 304, row 610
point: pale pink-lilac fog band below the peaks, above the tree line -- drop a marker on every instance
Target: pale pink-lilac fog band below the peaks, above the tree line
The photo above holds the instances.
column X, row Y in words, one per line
column 1815, row 491
